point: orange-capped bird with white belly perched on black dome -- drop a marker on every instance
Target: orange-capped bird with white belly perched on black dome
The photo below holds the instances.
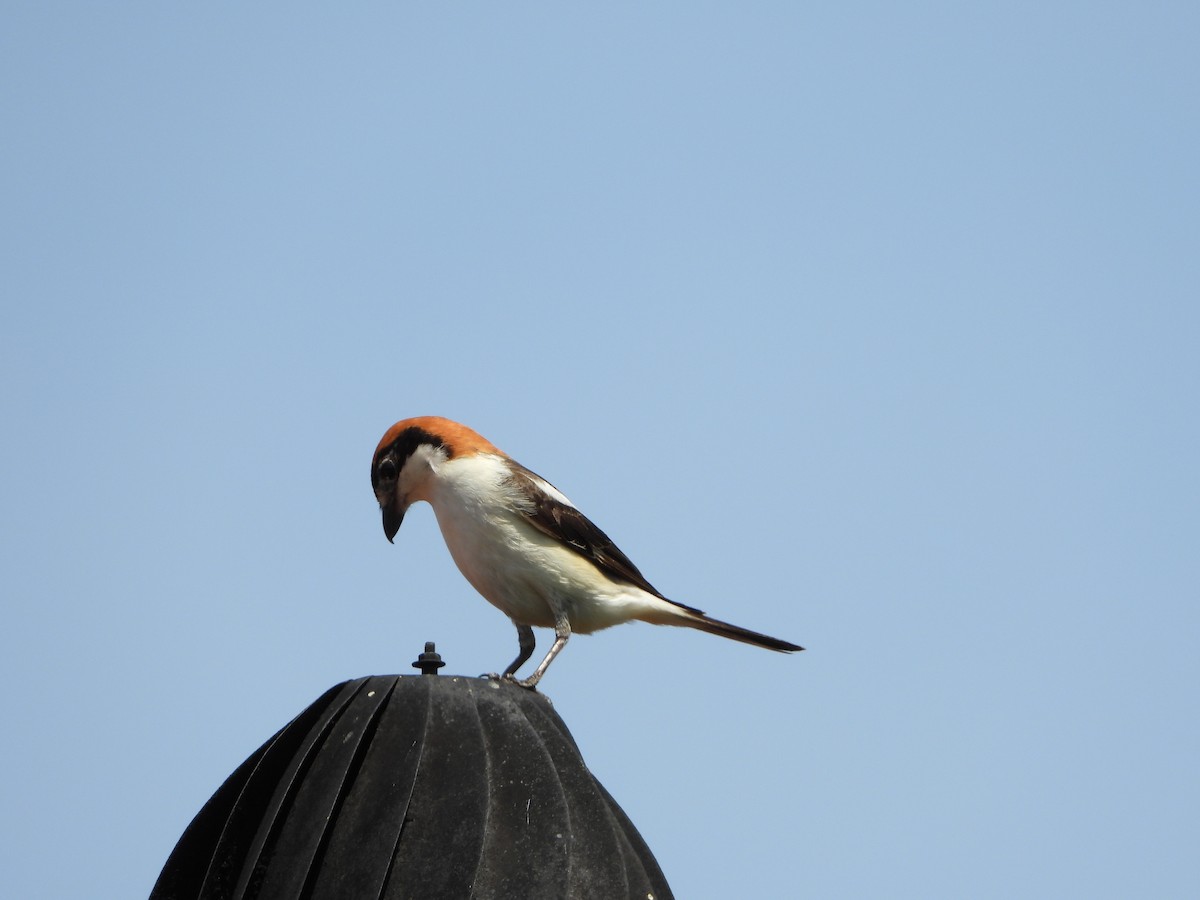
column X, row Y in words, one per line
column 521, row 543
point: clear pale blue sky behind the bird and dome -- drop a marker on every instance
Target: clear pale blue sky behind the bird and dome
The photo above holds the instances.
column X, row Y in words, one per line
column 873, row 327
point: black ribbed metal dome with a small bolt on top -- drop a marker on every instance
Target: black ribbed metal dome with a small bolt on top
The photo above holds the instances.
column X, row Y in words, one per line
column 413, row 787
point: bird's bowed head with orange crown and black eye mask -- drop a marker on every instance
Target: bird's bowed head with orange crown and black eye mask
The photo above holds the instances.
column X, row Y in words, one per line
column 407, row 459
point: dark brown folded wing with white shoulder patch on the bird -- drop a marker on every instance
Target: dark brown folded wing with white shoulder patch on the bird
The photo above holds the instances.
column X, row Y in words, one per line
column 554, row 515
